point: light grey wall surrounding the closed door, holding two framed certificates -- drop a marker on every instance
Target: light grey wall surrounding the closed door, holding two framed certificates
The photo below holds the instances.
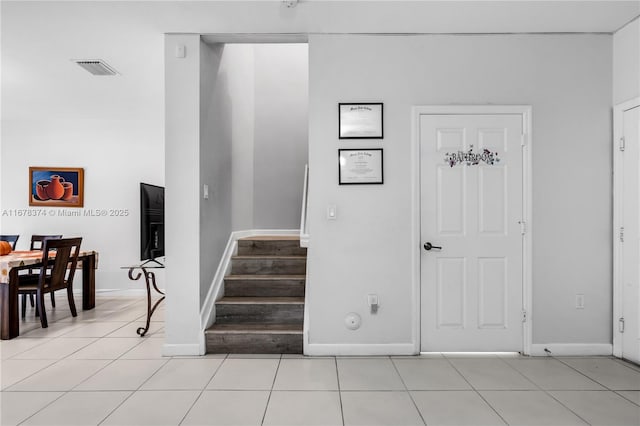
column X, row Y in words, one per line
column 567, row 81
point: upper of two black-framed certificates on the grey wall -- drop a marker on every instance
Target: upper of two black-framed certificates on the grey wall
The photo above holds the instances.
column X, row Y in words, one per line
column 360, row 121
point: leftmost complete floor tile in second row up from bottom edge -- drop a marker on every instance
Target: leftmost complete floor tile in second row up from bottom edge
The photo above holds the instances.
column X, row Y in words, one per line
column 63, row 375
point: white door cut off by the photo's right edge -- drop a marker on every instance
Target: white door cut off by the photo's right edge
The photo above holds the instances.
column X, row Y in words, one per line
column 629, row 238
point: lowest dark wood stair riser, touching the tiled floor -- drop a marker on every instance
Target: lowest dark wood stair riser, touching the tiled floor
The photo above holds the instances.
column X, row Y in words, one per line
column 254, row 343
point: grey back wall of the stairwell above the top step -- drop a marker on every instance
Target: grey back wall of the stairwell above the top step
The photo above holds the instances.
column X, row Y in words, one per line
column 280, row 132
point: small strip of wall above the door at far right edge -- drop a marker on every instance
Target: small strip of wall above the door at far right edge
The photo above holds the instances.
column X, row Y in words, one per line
column 626, row 62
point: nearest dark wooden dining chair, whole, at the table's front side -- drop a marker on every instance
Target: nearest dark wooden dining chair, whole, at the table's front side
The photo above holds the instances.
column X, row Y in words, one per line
column 59, row 276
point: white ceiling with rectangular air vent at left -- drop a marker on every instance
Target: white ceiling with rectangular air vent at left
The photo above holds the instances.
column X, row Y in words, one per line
column 39, row 39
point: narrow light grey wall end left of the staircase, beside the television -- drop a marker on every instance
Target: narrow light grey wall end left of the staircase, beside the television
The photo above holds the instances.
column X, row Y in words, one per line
column 183, row 334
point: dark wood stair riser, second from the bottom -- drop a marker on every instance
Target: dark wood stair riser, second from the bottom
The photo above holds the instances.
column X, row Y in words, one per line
column 259, row 313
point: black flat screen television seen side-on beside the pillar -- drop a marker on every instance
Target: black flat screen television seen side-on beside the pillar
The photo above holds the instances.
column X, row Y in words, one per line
column 151, row 222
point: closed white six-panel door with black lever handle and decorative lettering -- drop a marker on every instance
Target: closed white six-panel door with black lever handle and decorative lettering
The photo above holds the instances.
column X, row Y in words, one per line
column 471, row 195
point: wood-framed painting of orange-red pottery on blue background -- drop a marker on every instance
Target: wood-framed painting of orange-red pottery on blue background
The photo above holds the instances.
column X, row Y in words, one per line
column 56, row 187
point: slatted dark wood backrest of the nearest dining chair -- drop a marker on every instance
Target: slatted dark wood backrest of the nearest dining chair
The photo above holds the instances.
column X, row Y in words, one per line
column 66, row 259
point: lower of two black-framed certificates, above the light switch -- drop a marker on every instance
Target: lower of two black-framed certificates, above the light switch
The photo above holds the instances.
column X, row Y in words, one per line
column 360, row 166
